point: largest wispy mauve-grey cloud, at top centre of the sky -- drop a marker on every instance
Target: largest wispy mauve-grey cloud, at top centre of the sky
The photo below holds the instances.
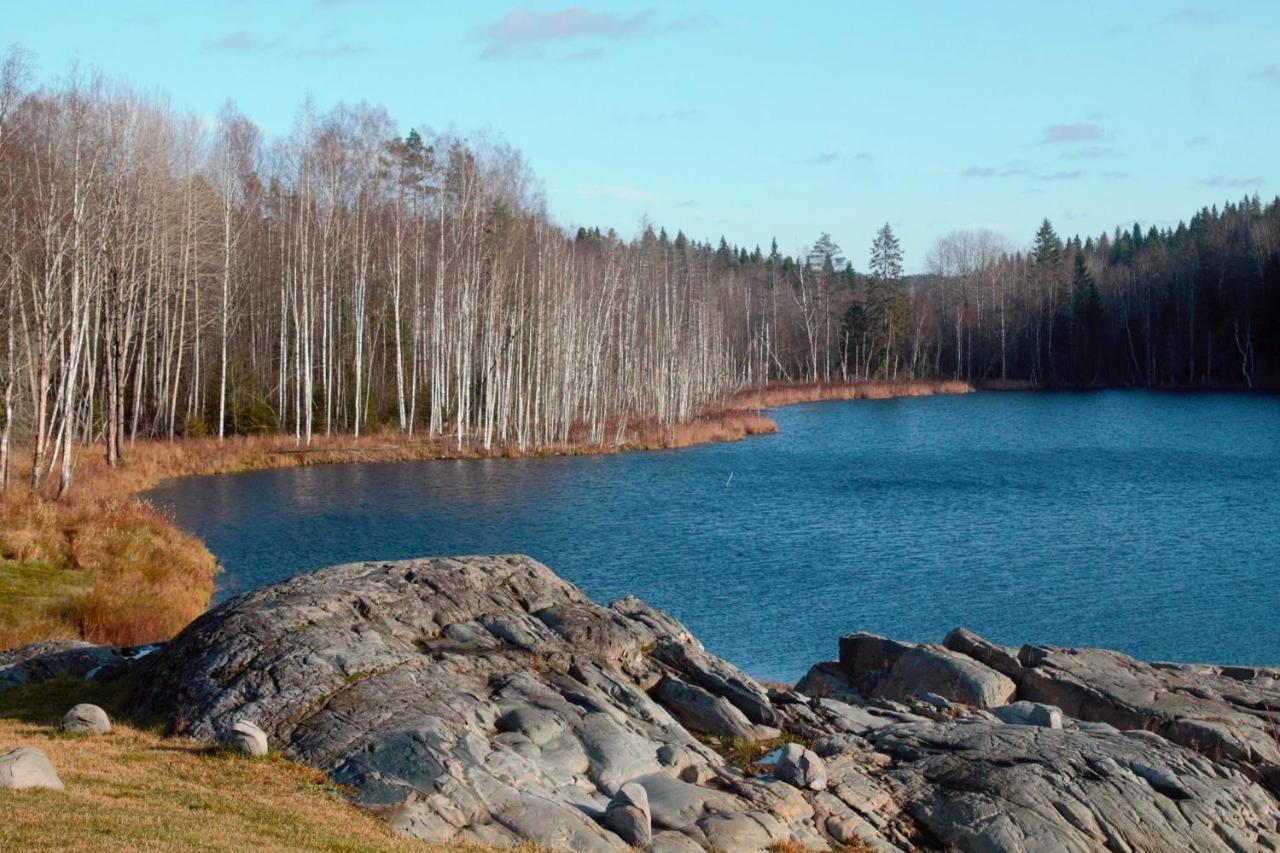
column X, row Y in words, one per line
column 523, row 33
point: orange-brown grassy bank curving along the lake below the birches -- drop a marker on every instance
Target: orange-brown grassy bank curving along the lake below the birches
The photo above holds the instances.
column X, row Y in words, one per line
column 112, row 569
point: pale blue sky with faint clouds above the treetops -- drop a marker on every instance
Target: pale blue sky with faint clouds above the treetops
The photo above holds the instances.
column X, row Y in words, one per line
column 753, row 120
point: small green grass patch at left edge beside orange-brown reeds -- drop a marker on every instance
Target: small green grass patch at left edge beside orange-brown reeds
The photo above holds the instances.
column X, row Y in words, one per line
column 35, row 601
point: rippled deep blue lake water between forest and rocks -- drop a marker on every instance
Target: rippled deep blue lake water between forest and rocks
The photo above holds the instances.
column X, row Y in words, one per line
column 1142, row 522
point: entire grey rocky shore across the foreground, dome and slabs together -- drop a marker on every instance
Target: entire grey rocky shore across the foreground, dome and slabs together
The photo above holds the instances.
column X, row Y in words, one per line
column 484, row 700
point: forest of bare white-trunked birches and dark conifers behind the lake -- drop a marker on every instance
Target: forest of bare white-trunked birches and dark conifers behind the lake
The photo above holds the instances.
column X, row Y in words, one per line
column 163, row 277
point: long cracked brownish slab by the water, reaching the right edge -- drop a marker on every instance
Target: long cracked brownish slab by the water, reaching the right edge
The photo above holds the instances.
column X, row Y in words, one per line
column 1231, row 718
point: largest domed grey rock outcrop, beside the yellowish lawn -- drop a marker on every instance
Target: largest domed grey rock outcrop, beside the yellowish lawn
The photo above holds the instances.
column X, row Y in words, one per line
column 469, row 699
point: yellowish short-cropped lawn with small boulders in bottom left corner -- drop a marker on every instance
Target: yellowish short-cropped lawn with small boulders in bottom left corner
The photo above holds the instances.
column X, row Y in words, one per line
column 136, row 791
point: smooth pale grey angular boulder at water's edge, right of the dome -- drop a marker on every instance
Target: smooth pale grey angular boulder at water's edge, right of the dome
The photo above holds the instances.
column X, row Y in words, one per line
column 930, row 669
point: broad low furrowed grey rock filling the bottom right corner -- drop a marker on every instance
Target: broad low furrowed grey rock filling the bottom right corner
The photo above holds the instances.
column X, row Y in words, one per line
column 994, row 787
